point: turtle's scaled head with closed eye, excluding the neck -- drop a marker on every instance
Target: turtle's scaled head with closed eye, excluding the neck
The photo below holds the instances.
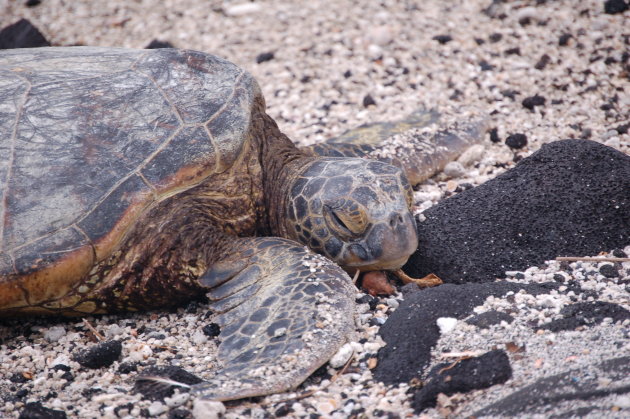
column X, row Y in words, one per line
column 354, row 211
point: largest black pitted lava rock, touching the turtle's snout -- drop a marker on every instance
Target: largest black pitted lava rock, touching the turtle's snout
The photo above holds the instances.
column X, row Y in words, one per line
column 570, row 198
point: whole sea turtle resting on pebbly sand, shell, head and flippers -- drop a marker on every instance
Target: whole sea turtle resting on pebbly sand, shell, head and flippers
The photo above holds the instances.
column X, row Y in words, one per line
column 139, row 179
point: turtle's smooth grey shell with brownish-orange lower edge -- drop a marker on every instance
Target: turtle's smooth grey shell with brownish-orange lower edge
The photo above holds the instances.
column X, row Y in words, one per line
column 92, row 137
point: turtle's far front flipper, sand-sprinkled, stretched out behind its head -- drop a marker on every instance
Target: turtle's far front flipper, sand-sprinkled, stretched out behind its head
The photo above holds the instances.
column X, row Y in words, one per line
column 421, row 144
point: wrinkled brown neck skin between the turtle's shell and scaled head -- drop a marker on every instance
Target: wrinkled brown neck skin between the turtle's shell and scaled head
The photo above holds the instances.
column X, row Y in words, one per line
column 281, row 162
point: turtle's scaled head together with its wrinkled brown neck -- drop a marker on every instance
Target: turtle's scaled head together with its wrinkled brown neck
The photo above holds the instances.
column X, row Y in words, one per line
column 354, row 211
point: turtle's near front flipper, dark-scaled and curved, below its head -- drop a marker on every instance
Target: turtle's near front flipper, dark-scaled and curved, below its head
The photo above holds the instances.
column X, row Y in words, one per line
column 283, row 312
